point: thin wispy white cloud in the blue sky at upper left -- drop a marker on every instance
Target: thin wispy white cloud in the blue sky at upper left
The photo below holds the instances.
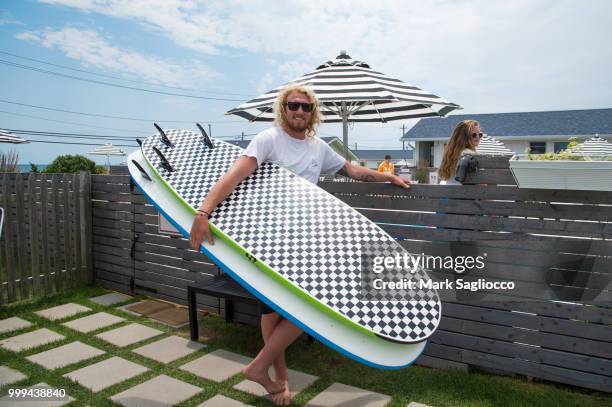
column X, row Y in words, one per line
column 91, row 49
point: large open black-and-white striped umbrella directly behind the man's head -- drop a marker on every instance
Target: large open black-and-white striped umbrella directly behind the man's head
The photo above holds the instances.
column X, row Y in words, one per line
column 349, row 90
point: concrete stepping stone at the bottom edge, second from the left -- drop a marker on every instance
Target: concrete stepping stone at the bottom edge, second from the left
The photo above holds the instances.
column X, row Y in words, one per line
column 159, row 391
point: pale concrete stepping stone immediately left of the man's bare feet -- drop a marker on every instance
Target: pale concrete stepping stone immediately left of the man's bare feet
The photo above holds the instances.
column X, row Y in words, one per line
column 218, row 365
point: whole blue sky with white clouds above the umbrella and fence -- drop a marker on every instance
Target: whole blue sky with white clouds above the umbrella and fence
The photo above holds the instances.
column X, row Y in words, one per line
column 196, row 59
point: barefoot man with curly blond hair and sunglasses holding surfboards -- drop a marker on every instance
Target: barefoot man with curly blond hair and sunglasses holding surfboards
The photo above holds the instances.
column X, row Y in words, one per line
column 293, row 144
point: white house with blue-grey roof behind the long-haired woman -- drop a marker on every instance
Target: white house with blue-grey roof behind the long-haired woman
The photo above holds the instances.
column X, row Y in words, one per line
column 539, row 132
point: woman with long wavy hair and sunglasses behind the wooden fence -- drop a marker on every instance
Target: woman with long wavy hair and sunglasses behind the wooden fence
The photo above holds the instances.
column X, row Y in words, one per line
column 464, row 140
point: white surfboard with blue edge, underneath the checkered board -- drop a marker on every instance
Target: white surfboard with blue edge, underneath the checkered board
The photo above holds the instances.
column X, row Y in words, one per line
column 363, row 347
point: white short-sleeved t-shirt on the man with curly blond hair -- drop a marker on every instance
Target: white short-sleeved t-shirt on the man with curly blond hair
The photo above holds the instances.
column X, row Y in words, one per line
column 307, row 158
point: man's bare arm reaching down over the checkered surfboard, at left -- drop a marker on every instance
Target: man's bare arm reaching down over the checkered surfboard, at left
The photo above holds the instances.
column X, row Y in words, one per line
column 242, row 168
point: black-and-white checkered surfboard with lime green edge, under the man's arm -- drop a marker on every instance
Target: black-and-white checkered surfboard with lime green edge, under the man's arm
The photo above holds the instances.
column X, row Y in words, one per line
column 288, row 226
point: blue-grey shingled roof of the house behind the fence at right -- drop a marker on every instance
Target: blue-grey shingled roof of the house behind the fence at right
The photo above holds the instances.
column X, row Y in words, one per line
column 554, row 123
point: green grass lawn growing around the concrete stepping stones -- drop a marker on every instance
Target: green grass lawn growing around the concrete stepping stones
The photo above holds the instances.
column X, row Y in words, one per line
column 437, row 388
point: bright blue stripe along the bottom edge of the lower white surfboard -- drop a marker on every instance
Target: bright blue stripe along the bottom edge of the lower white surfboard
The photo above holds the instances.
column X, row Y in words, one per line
column 263, row 298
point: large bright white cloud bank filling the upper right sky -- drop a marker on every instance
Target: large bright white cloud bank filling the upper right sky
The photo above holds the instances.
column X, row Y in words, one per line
column 483, row 55
